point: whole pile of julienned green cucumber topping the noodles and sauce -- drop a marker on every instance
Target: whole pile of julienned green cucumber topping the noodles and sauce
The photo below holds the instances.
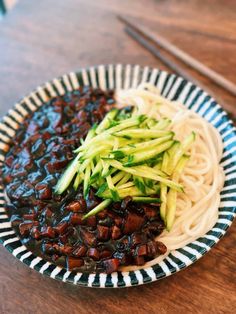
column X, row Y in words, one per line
column 129, row 155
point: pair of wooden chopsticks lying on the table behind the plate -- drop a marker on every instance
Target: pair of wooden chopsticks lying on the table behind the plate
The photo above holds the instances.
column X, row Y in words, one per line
column 150, row 40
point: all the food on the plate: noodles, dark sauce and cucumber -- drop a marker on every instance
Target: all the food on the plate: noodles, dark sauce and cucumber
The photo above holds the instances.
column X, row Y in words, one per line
column 103, row 180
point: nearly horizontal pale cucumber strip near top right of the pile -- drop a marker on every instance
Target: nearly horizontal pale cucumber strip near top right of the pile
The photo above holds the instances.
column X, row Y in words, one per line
column 141, row 133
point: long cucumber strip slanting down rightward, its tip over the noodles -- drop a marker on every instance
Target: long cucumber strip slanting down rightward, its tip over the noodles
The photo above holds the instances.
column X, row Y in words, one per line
column 148, row 175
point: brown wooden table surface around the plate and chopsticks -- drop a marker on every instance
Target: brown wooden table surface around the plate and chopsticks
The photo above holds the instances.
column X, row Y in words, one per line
column 39, row 41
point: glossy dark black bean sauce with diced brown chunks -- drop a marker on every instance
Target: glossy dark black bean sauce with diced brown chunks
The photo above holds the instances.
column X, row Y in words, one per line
column 51, row 225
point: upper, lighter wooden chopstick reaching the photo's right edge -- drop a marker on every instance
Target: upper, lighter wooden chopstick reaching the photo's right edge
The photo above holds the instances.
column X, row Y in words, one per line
column 180, row 54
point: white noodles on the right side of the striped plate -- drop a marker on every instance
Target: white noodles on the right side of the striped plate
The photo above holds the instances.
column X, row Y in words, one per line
column 202, row 178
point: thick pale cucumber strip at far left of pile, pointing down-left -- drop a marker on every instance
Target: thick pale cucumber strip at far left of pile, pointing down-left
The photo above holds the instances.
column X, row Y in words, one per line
column 67, row 176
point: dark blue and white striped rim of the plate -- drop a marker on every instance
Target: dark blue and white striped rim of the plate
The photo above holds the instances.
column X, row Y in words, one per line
column 125, row 76
